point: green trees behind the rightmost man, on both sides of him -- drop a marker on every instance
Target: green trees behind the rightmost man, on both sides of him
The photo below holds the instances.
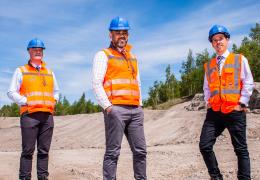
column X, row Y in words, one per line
column 192, row 72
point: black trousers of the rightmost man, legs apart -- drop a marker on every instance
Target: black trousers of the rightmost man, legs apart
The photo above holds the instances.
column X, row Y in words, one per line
column 214, row 125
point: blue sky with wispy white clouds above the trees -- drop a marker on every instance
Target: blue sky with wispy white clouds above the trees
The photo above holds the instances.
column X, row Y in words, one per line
column 74, row 30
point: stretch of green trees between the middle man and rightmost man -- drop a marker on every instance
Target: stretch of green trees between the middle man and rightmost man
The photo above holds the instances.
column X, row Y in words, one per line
column 191, row 82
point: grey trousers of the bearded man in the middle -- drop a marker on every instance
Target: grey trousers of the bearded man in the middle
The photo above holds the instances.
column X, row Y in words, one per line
column 126, row 120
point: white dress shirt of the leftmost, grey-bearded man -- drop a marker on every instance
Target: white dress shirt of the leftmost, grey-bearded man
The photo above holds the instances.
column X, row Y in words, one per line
column 14, row 89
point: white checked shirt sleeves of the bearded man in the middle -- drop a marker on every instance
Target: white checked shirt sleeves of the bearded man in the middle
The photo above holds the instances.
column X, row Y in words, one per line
column 98, row 73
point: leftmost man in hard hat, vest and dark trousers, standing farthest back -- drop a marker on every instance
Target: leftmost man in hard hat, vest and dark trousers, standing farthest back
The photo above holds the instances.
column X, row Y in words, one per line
column 34, row 88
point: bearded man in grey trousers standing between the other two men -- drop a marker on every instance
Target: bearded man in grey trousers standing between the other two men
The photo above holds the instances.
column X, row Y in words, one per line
column 117, row 87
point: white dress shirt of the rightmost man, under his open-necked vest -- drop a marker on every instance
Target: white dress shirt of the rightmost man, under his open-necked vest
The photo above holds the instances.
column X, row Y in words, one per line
column 246, row 78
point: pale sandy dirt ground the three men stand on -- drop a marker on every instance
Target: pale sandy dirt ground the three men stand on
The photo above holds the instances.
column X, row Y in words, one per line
column 172, row 138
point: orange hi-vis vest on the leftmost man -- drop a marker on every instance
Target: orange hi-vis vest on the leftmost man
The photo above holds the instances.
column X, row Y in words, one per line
column 38, row 88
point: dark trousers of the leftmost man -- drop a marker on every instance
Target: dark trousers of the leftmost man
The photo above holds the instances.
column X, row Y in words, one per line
column 38, row 127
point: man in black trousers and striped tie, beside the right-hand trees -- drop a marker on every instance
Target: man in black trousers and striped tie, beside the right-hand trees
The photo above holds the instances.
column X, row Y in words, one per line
column 228, row 85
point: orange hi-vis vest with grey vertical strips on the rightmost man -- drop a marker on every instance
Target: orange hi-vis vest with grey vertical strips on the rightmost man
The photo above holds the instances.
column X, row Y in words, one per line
column 225, row 89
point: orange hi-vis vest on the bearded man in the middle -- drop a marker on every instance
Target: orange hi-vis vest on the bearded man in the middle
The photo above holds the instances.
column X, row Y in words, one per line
column 120, row 81
